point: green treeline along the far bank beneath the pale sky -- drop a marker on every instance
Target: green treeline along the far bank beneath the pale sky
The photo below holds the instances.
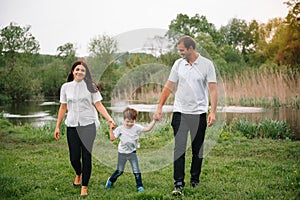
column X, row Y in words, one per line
column 238, row 49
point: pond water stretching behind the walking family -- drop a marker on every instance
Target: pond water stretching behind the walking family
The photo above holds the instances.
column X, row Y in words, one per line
column 41, row 113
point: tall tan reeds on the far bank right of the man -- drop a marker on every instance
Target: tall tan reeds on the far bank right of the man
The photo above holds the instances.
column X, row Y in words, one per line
column 264, row 87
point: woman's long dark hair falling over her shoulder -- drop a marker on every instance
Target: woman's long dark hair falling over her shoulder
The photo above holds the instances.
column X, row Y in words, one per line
column 91, row 85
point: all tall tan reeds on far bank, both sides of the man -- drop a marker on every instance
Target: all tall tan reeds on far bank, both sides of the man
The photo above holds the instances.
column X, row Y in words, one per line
column 264, row 87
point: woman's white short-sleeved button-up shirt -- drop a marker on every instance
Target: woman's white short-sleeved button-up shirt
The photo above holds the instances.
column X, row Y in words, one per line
column 80, row 104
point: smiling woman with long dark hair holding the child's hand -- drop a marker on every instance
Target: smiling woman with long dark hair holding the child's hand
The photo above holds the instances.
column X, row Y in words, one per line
column 80, row 96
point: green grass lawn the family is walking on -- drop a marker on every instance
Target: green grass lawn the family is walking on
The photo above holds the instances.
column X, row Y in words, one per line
column 34, row 166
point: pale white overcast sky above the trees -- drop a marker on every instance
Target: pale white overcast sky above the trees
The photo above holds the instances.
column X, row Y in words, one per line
column 57, row 22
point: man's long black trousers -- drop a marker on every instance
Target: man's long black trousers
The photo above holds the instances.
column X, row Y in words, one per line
column 182, row 124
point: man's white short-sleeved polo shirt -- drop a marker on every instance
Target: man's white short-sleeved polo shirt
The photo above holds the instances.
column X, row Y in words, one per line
column 191, row 96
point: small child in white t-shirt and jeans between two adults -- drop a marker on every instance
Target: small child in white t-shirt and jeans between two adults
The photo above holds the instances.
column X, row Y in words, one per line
column 128, row 134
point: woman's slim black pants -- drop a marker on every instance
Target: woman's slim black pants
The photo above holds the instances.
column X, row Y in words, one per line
column 80, row 142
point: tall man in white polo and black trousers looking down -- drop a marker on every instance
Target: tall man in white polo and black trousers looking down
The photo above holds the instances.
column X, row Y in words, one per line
column 194, row 76
